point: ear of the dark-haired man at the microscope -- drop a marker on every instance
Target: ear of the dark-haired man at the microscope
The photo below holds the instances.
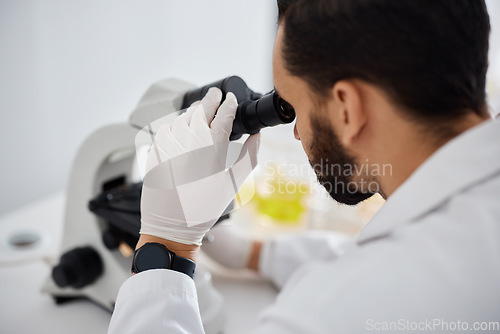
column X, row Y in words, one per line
column 351, row 114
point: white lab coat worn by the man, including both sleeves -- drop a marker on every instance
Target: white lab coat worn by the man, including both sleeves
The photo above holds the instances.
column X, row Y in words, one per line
column 431, row 255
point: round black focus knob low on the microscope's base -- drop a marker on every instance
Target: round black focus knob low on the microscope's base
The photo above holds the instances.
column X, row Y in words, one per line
column 78, row 267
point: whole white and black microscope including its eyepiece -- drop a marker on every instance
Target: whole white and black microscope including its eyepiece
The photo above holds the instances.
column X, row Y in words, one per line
column 102, row 213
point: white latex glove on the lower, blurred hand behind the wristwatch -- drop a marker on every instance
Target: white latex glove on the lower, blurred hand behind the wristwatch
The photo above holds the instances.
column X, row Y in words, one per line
column 228, row 246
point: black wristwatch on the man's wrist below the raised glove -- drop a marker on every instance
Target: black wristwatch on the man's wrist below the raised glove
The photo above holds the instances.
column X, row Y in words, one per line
column 154, row 255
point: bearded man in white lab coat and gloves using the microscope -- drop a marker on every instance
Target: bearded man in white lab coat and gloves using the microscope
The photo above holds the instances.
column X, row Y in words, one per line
column 385, row 81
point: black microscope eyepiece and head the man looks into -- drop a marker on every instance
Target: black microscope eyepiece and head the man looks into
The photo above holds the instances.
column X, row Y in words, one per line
column 254, row 112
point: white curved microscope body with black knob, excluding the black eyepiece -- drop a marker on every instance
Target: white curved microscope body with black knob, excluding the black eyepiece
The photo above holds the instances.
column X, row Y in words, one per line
column 89, row 267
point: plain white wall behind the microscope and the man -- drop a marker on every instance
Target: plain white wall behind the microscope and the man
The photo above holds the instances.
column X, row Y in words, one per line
column 70, row 67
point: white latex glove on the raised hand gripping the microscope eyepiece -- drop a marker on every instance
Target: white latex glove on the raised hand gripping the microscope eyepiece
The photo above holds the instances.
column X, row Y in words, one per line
column 190, row 176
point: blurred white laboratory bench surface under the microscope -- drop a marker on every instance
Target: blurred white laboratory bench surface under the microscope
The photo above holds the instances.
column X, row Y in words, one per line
column 24, row 269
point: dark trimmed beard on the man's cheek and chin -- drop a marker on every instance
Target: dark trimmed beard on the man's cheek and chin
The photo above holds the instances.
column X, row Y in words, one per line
column 326, row 150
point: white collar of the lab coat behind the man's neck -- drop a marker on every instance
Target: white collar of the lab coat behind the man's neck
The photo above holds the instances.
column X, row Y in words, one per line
column 459, row 164
